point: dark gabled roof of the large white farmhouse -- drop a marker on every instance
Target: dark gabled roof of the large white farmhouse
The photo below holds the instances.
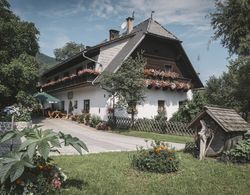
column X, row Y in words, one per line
column 148, row 27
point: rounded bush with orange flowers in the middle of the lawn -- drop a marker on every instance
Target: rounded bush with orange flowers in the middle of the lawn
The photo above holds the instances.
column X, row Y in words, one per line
column 160, row 159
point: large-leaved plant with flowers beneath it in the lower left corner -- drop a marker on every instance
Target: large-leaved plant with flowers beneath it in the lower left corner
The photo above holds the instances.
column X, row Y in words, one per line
column 28, row 169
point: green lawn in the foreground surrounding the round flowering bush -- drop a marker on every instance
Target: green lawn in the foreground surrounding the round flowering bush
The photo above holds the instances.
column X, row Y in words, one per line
column 111, row 173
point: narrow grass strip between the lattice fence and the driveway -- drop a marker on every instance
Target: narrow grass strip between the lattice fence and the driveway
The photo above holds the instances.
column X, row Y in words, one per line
column 156, row 136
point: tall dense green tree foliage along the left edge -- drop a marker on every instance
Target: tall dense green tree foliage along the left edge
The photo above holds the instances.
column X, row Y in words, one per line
column 18, row 69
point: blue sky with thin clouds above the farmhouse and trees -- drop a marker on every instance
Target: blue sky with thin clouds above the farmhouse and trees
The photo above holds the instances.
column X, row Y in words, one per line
column 88, row 22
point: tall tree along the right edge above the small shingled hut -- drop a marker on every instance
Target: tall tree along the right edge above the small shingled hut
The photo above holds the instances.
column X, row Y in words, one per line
column 231, row 22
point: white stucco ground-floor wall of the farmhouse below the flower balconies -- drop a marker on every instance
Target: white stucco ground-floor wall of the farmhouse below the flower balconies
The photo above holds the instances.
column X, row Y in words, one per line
column 100, row 101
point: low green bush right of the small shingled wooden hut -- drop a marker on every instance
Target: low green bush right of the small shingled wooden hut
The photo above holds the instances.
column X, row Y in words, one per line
column 239, row 154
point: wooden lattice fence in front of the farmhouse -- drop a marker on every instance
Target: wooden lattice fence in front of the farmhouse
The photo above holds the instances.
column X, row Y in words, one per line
column 151, row 125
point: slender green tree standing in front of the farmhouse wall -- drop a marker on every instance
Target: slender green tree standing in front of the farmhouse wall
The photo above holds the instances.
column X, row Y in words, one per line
column 127, row 84
